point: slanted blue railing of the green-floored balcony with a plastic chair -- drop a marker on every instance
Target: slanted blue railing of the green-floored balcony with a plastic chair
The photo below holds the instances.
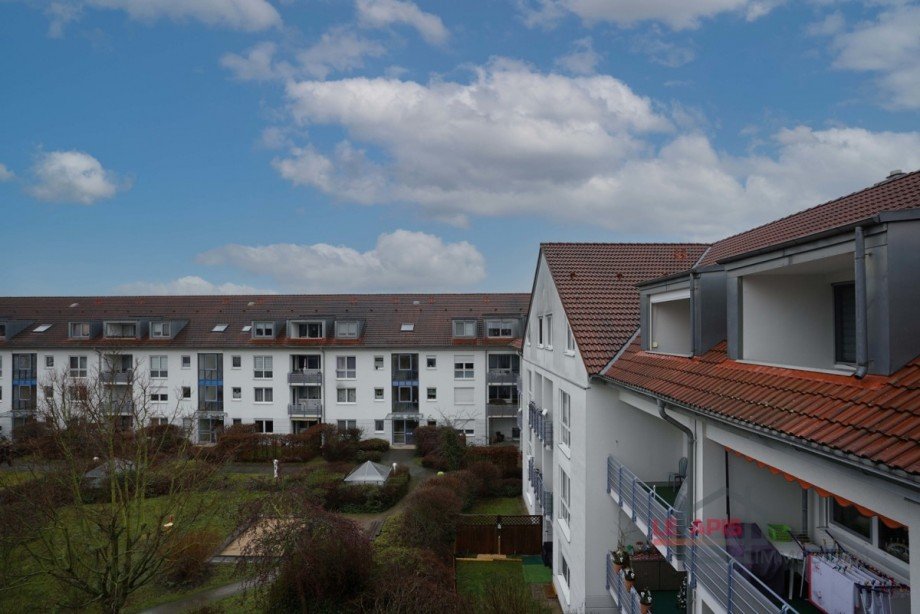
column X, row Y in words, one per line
column 648, row 510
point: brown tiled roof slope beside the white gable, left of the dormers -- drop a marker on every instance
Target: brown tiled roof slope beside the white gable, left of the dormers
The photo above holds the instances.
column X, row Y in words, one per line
column 597, row 285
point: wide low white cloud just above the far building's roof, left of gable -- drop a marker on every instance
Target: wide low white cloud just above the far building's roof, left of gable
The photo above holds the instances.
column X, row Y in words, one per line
column 400, row 261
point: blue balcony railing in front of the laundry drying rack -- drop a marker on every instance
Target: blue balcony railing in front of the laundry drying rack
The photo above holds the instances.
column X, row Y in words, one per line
column 731, row 584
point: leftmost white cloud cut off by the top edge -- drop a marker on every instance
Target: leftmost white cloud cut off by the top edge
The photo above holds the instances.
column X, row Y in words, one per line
column 246, row 15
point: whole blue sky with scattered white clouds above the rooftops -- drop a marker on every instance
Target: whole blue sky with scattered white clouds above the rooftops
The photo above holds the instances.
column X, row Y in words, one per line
column 220, row 146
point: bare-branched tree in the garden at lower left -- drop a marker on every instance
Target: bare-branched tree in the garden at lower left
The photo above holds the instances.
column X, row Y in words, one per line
column 120, row 487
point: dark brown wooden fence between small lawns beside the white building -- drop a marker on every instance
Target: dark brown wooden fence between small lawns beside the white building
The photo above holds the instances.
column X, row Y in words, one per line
column 481, row 534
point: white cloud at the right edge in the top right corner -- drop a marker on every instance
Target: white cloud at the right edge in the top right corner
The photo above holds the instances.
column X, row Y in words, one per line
column 889, row 47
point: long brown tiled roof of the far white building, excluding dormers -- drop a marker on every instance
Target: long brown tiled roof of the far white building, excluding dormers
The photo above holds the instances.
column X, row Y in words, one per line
column 381, row 314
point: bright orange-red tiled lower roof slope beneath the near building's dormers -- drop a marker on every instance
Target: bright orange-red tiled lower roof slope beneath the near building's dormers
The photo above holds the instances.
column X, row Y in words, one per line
column 876, row 418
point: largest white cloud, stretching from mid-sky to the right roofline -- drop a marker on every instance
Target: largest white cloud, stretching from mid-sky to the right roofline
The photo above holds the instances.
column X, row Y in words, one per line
column 586, row 149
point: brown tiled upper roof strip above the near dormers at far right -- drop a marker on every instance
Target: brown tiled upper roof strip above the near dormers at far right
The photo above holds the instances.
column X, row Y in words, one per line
column 895, row 194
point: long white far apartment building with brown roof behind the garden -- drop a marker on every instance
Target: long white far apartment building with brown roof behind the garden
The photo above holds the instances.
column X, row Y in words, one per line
column 382, row 363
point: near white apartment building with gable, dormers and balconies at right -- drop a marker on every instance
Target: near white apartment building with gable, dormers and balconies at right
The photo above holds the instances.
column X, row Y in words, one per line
column 772, row 378
